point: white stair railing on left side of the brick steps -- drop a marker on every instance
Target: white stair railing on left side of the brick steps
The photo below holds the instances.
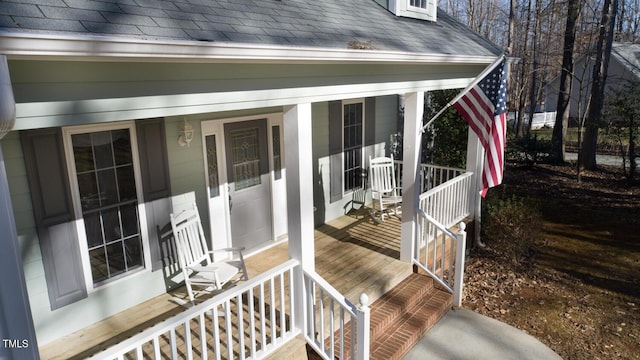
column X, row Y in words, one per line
column 332, row 321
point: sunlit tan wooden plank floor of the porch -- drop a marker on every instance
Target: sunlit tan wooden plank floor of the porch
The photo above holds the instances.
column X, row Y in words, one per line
column 354, row 253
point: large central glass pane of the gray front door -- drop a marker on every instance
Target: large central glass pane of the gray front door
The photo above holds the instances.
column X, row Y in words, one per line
column 245, row 158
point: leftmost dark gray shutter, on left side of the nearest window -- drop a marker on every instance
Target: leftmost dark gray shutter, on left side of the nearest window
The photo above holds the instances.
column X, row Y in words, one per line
column 53, row 210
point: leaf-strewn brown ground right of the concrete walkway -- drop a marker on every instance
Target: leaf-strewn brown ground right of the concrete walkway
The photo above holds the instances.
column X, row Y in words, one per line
column 580, row 292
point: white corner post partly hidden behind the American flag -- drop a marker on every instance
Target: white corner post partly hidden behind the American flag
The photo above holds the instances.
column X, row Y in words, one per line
column 475, row 163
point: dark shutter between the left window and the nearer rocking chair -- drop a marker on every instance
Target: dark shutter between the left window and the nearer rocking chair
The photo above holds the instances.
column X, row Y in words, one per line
column 154, row 168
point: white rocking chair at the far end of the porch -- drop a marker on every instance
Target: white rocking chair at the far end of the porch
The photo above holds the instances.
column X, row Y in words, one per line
column 382, row 180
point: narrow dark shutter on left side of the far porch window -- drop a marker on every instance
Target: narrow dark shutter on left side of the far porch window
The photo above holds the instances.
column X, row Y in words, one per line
column 335, row 150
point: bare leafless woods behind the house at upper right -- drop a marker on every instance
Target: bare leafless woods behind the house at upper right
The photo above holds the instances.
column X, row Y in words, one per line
column 546, row 37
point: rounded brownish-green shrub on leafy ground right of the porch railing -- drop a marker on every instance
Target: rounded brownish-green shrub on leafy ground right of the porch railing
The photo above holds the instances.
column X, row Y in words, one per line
column 510, row 226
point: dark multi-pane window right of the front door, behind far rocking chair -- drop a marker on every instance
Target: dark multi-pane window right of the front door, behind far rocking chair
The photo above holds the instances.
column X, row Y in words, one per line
column 352, row 145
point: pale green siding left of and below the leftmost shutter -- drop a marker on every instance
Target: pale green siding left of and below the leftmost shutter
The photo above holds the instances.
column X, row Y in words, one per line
column 101, row 303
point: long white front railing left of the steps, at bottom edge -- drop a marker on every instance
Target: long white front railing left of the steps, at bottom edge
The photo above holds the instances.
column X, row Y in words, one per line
column 265, row 330
